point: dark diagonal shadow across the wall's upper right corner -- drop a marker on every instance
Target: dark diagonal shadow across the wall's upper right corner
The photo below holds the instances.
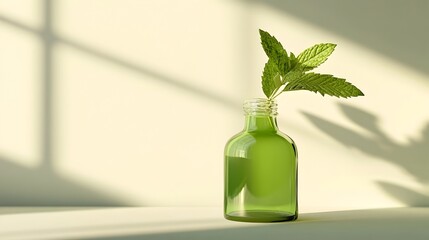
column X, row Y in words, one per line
column 371, row 24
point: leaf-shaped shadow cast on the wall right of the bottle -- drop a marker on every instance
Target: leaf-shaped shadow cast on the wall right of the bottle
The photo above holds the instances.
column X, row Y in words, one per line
column 412, row 157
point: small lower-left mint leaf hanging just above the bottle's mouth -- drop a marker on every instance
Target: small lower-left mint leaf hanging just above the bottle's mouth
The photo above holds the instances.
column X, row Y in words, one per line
column 270, row 78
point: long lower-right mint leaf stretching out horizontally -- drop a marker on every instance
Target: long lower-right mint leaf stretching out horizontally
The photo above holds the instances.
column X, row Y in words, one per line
column 324, row 84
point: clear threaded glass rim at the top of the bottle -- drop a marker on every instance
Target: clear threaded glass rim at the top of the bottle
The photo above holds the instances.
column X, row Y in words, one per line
column 260, row 107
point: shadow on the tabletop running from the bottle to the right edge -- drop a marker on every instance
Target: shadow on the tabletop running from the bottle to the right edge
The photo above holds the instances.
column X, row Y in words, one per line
column 393, row 224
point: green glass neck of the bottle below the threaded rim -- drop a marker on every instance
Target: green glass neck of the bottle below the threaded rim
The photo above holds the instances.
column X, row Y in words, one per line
column 260, row 123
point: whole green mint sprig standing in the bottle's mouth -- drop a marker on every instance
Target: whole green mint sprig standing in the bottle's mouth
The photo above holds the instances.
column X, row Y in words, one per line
column 284, row 72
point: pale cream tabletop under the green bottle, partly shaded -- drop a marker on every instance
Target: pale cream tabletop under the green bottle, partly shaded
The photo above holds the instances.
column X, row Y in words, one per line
column 207, row 223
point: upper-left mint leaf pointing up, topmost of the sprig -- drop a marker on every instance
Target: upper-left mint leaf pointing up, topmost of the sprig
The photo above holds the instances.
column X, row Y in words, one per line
column 275, row 52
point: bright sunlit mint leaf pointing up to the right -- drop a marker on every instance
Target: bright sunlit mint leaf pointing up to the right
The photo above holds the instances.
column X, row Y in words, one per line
column 314, row 56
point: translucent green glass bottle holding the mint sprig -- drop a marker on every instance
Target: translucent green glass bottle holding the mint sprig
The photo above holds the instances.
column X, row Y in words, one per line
column 260, row 169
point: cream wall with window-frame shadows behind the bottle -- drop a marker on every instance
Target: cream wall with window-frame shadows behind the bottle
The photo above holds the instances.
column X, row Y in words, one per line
column 108, row 102
